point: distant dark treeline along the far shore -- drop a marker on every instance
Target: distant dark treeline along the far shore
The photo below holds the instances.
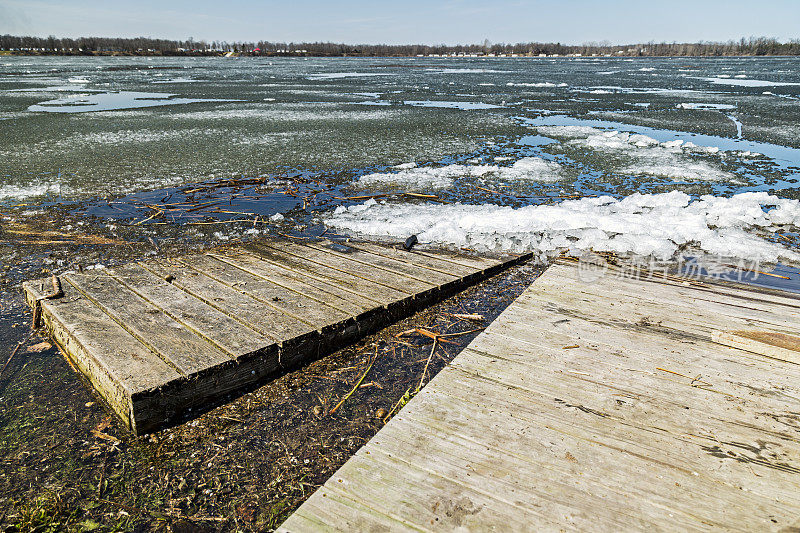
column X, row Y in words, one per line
column 760, row 46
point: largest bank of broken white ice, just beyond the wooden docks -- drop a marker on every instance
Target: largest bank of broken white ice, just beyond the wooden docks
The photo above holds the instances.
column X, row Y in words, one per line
column 656, row 225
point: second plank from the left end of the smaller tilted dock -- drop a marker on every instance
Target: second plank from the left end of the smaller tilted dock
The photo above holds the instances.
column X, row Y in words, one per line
column 172, row 341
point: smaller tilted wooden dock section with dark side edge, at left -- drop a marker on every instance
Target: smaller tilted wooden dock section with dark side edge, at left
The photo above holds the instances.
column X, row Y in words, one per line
column 159, row 337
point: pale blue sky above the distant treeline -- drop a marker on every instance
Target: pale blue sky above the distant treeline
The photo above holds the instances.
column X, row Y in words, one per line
column 408, row 21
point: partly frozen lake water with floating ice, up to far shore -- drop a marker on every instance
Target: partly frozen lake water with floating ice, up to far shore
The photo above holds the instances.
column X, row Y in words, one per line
column 652, row 157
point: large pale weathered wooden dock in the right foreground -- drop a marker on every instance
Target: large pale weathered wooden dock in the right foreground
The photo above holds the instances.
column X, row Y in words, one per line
column 613, row 405
